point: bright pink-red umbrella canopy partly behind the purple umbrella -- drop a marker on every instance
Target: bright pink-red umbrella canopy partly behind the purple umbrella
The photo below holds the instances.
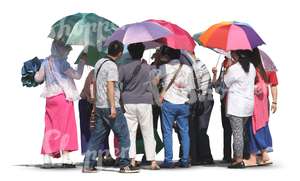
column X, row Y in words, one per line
column 179, row 39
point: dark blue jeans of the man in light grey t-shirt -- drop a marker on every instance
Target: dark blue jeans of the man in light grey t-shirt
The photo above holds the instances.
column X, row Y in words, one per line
column 103, row 125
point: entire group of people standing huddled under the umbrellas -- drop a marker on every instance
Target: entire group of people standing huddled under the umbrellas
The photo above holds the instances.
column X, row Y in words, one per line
column 129, row 99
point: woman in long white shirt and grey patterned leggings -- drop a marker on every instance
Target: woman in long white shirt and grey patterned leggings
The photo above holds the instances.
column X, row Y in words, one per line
column 240, row 79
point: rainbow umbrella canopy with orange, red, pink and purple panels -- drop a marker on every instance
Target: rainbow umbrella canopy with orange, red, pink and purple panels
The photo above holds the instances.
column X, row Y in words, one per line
column 230, row 36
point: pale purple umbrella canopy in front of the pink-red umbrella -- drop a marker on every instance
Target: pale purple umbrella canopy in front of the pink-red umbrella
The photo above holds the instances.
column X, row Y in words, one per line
column 138, row 32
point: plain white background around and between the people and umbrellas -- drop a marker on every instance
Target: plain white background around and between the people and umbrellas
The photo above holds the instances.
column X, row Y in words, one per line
column 23, row 35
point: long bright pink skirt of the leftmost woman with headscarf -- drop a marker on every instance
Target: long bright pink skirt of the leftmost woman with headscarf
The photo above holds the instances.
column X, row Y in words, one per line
column 60, row 126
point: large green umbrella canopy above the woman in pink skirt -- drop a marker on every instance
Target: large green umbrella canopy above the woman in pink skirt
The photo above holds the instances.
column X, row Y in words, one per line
column 86, row 29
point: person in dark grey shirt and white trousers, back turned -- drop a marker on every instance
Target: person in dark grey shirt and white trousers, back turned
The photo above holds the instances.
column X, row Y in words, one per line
column 138, row 99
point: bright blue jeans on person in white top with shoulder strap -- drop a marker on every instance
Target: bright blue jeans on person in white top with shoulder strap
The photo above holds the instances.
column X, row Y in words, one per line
column 180, row 113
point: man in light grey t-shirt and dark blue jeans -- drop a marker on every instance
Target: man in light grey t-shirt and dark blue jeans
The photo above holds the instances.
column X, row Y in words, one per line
column 108, row 112
